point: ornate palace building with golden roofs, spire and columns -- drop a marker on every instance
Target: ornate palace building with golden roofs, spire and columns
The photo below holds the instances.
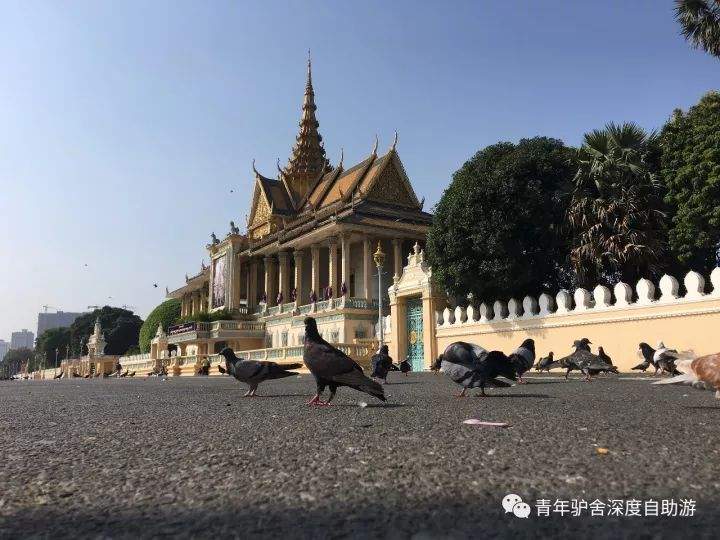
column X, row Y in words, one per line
column 307, row 249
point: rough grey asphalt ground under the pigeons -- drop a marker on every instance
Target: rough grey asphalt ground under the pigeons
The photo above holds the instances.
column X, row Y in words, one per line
column 191, row 458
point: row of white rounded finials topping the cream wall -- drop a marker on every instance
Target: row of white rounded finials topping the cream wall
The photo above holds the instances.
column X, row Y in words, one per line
column 582, row 300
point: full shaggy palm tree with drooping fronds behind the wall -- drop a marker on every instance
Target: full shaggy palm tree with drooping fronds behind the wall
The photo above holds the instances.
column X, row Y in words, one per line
column 615, row 213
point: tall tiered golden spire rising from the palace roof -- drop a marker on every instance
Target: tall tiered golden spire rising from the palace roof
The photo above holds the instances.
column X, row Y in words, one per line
column 308, row 160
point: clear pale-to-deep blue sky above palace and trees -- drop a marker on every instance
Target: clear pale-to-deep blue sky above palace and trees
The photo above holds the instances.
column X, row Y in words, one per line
column 124, row 125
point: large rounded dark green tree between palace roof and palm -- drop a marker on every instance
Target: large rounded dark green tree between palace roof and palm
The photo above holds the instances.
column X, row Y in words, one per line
column 497, row 230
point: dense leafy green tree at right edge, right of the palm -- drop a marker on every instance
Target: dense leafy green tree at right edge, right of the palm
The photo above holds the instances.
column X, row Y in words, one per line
column 691, row 173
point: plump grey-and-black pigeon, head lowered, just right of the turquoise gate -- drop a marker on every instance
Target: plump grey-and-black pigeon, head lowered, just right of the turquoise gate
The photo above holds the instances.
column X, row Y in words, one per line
column 471, row 366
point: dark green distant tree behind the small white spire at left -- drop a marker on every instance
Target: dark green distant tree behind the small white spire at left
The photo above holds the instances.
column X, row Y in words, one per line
column 120, row 326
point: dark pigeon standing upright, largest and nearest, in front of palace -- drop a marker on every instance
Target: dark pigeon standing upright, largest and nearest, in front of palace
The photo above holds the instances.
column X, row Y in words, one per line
column 332, row 367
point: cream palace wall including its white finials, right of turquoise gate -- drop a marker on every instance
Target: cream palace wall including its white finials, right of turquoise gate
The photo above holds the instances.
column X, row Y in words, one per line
column 618, row 320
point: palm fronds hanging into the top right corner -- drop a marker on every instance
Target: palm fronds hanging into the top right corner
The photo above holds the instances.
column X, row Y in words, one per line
column 700, row 20
